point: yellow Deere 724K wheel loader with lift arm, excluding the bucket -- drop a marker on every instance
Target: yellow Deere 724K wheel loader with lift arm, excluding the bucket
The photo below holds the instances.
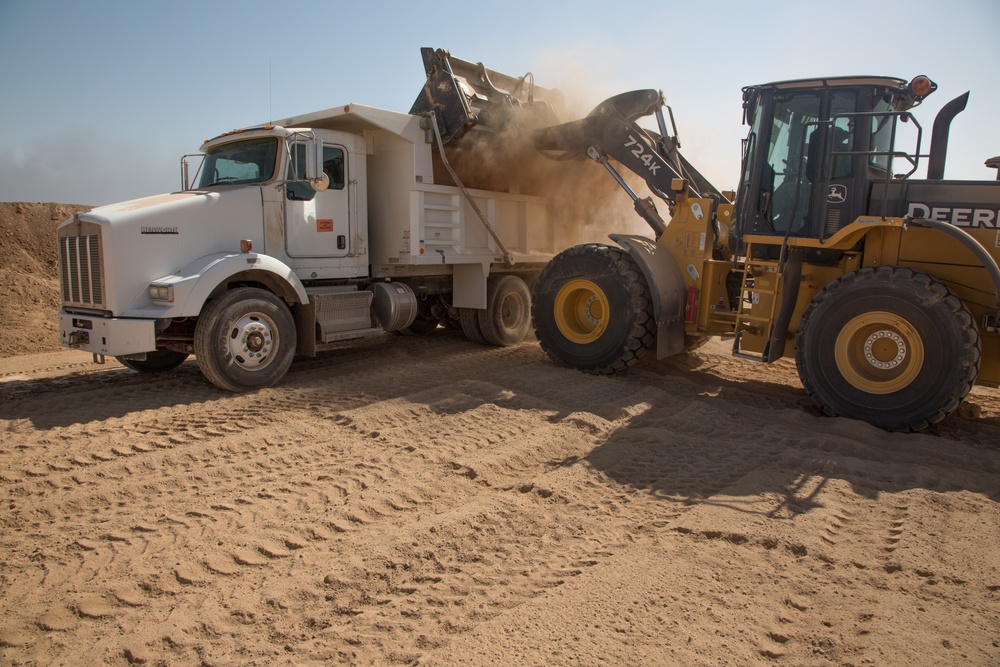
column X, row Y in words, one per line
column 884, row 288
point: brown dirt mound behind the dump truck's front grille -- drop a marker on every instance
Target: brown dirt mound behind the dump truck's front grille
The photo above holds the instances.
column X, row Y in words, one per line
column 29, row 288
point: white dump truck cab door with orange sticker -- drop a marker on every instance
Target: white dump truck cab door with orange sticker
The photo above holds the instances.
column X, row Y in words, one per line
column 317, row 224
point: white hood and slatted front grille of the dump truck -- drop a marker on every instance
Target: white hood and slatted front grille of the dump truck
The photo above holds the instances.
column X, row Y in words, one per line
column 109, row 255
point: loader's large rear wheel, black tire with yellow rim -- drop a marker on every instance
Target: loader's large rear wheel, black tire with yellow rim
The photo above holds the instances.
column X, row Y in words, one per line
column 889, row 346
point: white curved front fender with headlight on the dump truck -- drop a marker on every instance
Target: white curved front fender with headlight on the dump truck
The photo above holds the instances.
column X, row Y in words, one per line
column 200, row 280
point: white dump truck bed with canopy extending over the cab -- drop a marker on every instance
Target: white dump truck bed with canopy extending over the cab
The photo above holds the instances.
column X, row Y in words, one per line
column 419, row 227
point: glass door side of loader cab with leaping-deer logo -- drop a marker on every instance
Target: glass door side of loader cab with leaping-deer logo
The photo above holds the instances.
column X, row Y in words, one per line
column 798, row 175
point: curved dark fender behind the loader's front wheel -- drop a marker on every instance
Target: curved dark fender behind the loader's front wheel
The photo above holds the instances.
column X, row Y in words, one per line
column 666, row 287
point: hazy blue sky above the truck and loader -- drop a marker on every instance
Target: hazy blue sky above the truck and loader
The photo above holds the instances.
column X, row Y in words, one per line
column 100, row 98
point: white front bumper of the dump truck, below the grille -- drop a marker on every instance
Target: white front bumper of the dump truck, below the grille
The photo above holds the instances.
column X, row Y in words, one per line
column 107, row 335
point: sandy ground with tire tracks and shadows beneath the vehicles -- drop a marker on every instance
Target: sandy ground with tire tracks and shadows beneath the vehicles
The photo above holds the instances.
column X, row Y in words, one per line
column 429, row 501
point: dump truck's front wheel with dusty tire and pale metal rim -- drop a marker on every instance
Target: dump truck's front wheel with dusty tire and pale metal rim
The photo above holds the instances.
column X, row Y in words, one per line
column 245, row 339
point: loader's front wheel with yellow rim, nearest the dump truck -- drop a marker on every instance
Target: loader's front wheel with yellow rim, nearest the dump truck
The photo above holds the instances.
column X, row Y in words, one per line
column 592, row 309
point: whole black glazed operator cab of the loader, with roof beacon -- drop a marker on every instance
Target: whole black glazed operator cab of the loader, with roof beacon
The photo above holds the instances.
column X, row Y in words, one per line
column 813, row 151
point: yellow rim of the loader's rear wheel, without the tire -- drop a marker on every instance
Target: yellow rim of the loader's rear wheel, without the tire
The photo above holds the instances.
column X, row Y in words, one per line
column 879, row 353
